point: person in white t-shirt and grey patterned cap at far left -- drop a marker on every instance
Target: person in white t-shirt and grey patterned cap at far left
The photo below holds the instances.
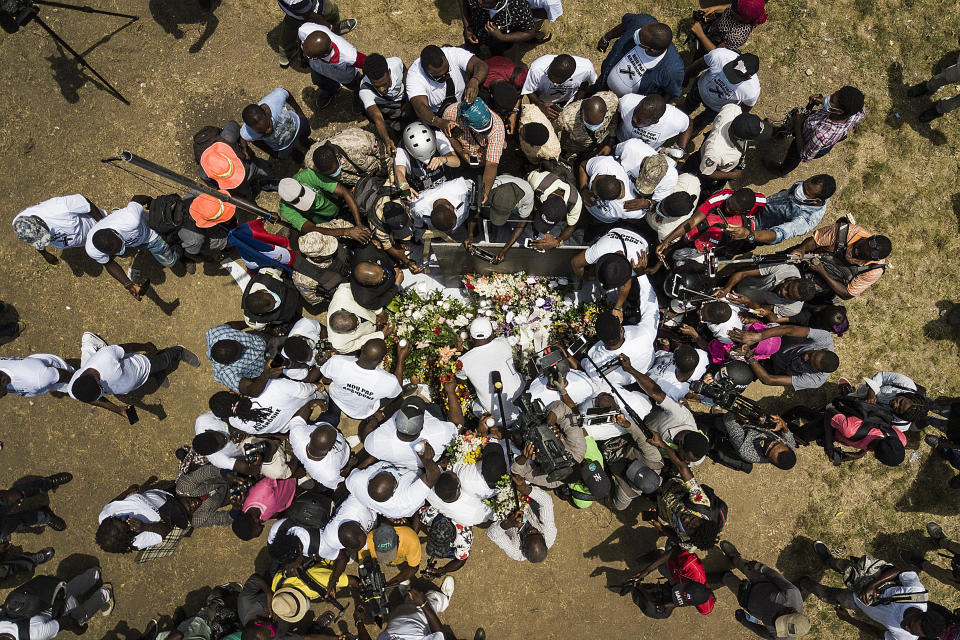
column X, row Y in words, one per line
column 62, row 222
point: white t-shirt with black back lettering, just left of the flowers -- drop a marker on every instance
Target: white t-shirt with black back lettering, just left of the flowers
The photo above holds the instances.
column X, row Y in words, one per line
column 358, row 391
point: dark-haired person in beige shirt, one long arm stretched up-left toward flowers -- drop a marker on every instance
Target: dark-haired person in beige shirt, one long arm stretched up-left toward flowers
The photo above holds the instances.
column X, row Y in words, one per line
column 673, row 421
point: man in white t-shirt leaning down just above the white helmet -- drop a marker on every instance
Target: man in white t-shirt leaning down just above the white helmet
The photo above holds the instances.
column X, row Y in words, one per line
column 442, row 76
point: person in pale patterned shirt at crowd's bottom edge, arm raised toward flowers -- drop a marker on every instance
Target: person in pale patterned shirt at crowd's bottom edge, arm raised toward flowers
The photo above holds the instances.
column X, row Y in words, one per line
column 528, row 532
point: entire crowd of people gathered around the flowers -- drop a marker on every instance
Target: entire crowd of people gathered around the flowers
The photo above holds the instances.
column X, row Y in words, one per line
column 349, row 470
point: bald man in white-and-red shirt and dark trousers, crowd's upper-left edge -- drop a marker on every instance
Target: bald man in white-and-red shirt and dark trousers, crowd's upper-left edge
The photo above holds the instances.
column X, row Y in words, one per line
column 334, row 62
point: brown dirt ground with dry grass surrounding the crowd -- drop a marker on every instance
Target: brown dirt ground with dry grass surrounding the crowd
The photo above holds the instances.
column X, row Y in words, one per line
column 181, row 71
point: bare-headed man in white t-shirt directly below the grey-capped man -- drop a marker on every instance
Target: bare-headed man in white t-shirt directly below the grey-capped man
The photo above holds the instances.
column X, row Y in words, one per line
column 392, row 491
